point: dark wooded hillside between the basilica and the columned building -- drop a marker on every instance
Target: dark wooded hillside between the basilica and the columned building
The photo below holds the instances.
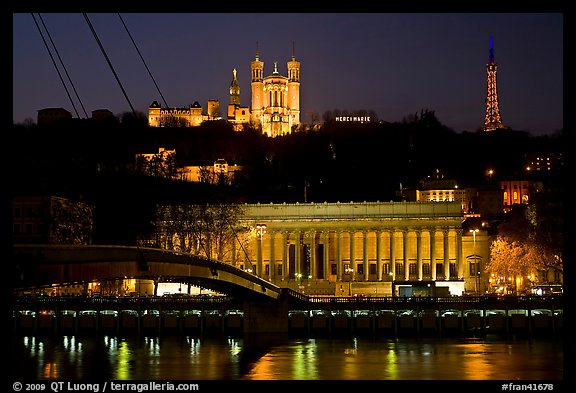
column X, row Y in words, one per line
column 95, row 163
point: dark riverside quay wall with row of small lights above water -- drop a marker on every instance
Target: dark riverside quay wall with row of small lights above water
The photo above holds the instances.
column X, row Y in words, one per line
column 307, row 316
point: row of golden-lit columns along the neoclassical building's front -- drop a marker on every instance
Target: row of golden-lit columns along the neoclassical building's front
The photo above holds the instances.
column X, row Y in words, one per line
column 427, row 253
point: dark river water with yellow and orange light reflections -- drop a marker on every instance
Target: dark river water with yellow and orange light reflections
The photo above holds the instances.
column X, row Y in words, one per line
column 189, row 358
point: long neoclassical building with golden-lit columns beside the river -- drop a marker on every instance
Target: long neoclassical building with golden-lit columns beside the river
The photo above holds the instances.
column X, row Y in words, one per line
column 370, row 247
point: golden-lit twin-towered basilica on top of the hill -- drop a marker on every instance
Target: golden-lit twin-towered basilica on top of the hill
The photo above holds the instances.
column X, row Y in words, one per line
column 275, row 98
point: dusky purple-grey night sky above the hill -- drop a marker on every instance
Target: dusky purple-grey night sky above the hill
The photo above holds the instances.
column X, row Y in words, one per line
column 395, row 64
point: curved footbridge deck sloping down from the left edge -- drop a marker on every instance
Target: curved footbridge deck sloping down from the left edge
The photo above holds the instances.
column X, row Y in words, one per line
column 44, row 265
